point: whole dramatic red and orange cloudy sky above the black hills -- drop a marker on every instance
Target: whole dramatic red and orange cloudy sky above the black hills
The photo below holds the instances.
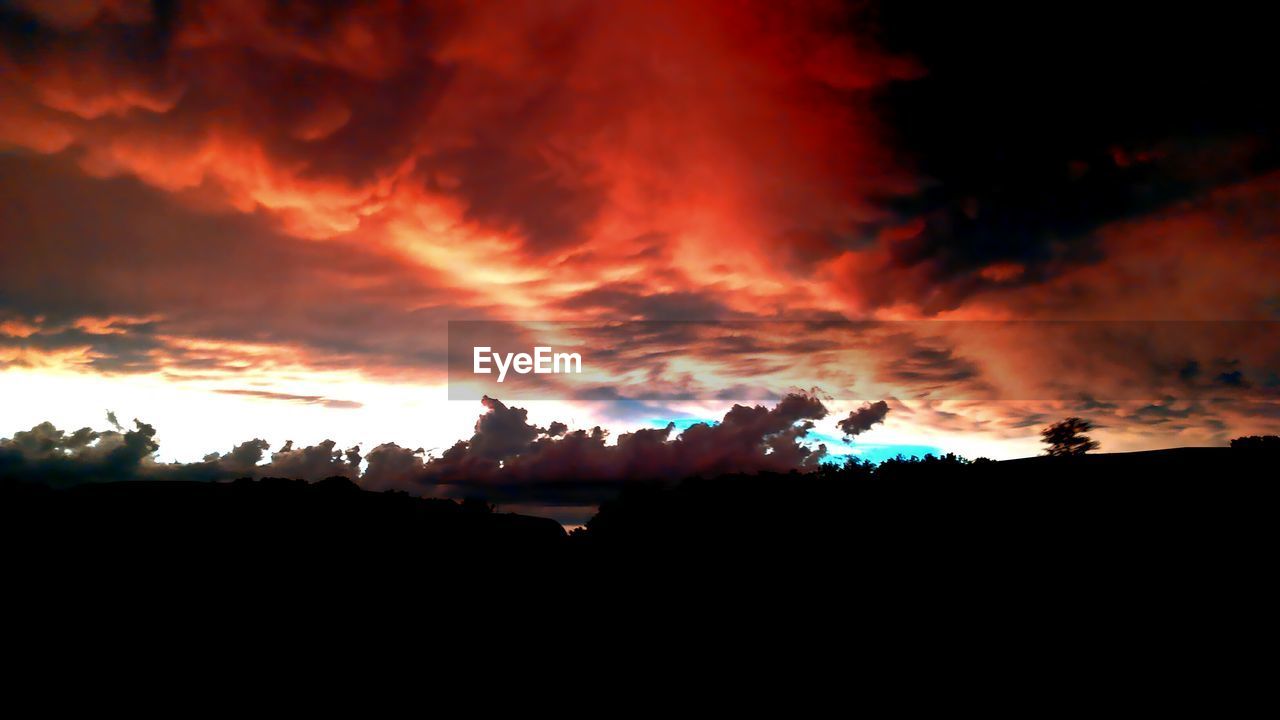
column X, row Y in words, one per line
column 249, row 220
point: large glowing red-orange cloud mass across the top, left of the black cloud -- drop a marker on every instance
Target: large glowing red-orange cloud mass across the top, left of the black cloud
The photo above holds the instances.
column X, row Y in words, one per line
column 531, row 129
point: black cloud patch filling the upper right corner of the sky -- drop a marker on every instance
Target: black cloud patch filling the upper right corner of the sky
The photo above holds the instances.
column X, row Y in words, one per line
column 1035, row 134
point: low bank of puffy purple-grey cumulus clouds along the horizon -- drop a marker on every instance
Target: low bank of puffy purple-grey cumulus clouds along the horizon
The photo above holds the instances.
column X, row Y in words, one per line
column 505, row 452
